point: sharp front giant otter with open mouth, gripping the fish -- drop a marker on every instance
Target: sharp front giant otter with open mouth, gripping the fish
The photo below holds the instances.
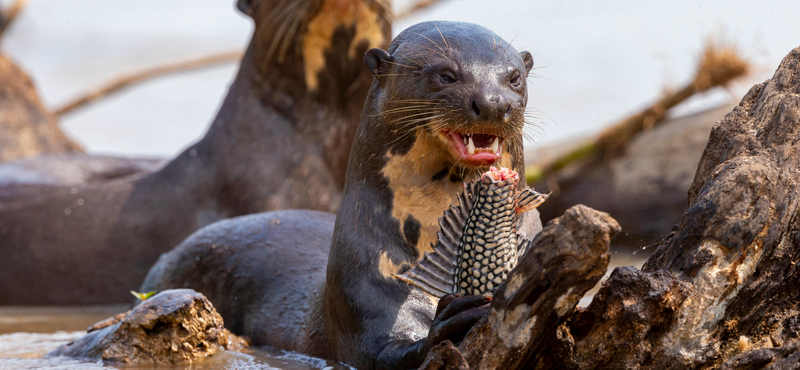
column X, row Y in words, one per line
column 447, row 102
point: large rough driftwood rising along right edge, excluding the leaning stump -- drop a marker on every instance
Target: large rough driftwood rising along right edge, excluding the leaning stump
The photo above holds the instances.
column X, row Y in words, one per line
column 726, row 279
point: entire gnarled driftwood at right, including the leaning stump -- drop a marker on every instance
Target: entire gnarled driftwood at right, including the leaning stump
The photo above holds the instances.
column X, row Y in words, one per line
column 721, row 291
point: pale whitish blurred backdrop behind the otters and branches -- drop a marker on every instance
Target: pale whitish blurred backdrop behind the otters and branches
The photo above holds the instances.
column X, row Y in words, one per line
column 596, row 62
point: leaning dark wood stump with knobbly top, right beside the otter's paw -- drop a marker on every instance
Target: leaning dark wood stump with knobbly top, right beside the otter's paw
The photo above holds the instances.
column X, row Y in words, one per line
column 566, row 259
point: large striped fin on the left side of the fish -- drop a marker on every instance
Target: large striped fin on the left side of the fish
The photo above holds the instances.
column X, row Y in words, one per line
column 435, row 272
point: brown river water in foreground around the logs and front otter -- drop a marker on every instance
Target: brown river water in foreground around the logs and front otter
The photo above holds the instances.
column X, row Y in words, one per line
column 27, row 334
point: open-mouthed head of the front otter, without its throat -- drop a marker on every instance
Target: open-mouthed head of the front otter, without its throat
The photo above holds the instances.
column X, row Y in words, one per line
column 456, row 85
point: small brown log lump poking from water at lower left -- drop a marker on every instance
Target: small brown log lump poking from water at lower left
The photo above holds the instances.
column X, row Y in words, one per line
column 174, row 327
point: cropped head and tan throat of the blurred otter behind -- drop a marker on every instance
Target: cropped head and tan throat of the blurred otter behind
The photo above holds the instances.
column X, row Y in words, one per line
column 315, row 46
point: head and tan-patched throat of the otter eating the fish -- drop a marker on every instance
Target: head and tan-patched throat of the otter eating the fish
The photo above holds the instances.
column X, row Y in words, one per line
column 448, row 102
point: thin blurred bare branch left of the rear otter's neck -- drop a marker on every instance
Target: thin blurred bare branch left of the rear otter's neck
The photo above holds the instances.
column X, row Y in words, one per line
column 124, row 82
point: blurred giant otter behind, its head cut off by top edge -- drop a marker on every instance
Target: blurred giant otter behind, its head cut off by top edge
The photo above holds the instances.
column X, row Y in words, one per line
column 280, row 140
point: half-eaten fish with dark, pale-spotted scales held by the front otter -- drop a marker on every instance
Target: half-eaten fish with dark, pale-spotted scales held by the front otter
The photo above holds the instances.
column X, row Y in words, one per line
column 477, row 242
